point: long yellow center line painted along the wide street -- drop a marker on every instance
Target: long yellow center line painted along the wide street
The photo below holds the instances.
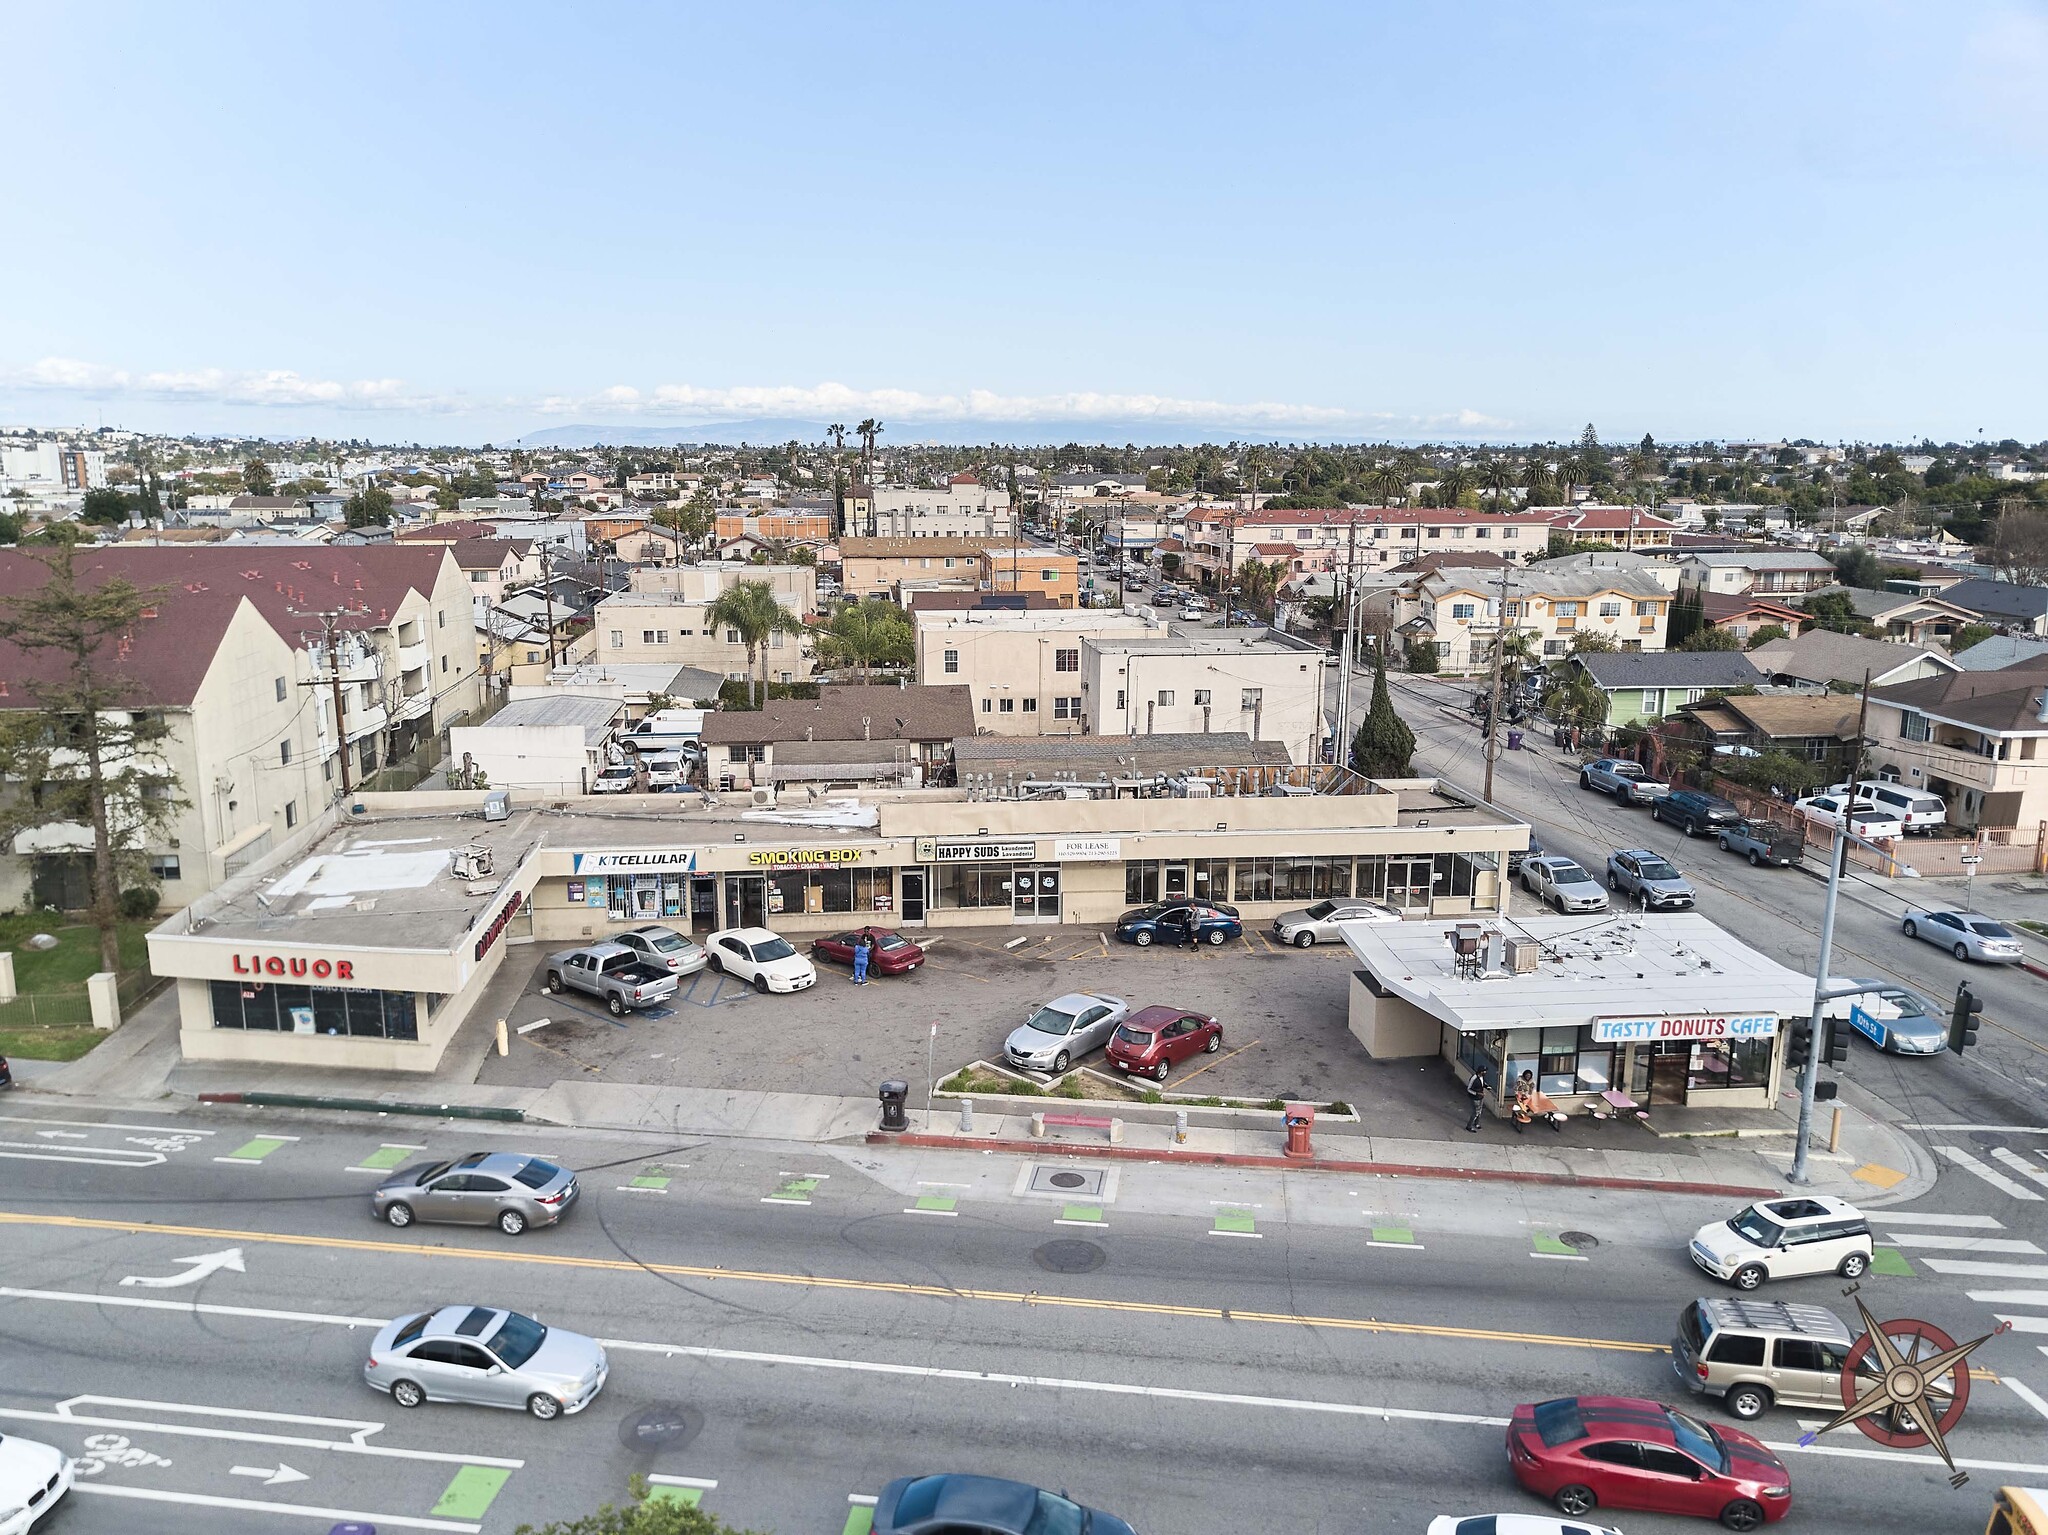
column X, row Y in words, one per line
column 830, row 1282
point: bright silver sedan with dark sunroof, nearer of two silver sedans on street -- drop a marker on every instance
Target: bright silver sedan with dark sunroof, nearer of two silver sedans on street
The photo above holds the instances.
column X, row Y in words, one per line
column 488, row 1358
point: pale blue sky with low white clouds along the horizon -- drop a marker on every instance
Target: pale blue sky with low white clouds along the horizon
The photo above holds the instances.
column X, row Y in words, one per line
column 1019, row 222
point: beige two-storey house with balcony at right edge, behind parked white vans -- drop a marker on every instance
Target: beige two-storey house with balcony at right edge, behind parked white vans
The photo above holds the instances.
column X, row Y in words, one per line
column 1979, row 740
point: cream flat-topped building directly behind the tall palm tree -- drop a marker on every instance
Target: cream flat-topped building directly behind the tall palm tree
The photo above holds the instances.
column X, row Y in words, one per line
column 663, row 619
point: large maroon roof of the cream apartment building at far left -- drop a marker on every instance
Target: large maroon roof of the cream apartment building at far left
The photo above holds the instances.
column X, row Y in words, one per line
column 198, row 595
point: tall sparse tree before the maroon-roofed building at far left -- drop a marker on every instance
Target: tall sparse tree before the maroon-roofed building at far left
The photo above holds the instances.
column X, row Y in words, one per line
column 83, row 756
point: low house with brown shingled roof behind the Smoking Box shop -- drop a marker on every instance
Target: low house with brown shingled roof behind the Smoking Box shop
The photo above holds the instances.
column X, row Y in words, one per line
column 853, row 730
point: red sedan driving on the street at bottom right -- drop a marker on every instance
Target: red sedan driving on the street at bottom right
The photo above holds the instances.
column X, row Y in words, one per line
column 1621, row 1452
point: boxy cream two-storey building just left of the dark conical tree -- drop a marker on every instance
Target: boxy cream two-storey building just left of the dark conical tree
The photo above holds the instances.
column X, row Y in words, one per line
column 1263, row 685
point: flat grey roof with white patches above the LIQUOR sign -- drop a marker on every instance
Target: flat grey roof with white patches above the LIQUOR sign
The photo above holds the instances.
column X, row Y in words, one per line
column 376, row 881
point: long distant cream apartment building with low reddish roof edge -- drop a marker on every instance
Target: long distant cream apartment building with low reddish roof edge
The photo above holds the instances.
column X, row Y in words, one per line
column 1365, row 539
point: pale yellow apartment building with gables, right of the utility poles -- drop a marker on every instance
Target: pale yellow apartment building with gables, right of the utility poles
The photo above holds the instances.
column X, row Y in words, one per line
column 1459, row 611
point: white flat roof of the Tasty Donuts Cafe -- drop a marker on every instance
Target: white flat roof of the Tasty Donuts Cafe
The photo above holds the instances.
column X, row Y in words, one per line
column 1588, row 969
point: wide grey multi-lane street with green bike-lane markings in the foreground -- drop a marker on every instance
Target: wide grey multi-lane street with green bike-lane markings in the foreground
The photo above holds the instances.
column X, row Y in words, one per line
column 792, row 1327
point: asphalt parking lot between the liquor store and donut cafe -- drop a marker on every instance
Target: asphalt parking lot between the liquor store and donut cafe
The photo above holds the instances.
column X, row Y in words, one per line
column 1283, row 1020
